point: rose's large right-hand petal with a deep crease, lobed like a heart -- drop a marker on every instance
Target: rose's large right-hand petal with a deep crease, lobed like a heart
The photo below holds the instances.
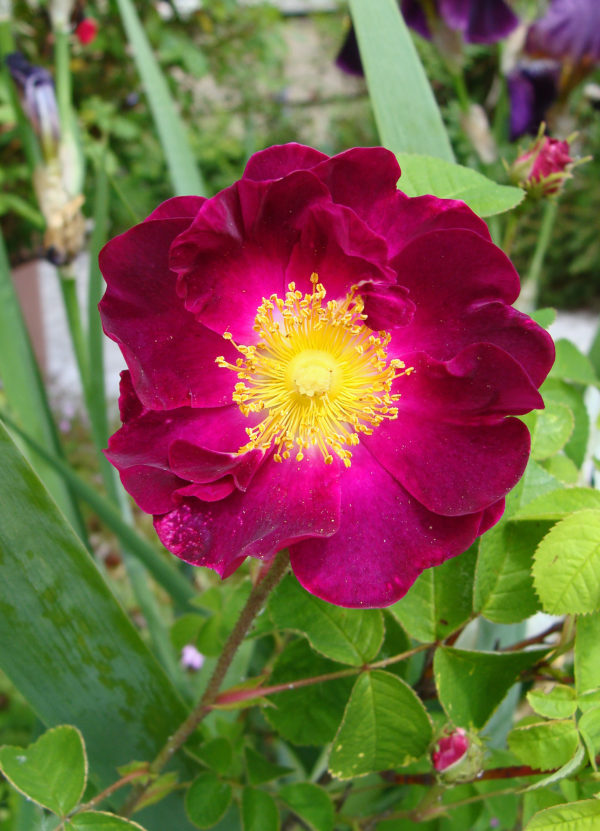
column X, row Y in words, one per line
column 450, row 446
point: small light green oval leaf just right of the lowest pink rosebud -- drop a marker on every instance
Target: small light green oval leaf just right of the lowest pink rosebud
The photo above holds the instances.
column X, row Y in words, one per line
column 544, row 745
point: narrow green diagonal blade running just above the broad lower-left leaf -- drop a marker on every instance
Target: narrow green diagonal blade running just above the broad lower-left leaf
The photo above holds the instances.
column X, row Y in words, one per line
column 171, row 580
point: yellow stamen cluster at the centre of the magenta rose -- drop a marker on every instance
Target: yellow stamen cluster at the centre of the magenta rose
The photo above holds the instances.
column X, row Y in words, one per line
column 317, row 372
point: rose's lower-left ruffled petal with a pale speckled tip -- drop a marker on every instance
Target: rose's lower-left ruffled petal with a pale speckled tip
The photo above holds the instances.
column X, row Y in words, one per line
column 287, row 502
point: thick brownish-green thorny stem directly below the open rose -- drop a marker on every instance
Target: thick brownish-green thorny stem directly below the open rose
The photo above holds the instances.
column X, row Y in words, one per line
column 253, row 606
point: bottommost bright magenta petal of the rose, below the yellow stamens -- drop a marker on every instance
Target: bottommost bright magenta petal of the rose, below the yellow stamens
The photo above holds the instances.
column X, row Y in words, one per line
column 385, row 540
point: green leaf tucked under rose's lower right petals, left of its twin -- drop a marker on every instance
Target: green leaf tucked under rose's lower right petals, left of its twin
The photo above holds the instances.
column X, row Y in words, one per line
column 440, row 600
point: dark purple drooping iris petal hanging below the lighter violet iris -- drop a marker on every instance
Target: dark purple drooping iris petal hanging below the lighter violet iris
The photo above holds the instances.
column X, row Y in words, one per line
column 532, row 89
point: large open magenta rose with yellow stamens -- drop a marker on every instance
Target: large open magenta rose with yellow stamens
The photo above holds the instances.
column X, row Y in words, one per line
column 318, row 361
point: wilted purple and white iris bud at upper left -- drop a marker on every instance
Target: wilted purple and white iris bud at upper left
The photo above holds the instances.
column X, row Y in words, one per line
column 38, row 99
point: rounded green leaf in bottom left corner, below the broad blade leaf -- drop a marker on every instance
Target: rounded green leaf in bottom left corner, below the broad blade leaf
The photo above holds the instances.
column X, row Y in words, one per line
column 52, row 771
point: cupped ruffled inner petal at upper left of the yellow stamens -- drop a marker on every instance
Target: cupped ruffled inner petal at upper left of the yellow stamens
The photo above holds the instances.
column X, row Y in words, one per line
column 237, row 250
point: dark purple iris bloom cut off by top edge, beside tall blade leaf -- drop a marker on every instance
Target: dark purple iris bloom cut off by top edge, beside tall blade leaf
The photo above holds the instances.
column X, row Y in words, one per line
column 479, row 21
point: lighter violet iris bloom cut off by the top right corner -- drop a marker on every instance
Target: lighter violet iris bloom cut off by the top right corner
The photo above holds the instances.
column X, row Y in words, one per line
column 570, row 31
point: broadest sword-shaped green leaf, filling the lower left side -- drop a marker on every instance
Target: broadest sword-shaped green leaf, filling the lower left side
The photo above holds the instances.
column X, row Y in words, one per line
column 58, row 615
